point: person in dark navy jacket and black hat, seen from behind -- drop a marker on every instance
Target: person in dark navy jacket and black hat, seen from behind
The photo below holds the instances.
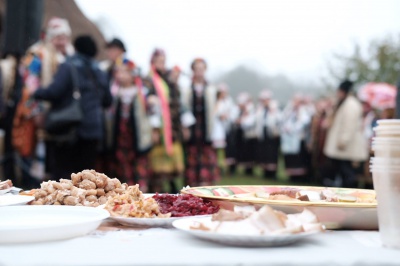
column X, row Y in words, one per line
column 80, row 154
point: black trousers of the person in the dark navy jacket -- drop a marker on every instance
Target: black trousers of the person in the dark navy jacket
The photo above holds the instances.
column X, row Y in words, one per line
column 73, row 158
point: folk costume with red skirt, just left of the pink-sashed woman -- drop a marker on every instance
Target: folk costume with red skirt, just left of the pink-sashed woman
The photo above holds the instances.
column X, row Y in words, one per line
column 131, row 137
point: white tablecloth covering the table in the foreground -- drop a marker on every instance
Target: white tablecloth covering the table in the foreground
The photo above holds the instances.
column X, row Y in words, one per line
column 111, row 245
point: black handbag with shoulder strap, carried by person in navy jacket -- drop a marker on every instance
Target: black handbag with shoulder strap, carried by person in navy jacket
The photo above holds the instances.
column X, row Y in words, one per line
column 60, row 123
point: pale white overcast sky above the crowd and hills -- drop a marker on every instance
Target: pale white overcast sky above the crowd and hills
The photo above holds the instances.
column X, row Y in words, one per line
column 293, row 37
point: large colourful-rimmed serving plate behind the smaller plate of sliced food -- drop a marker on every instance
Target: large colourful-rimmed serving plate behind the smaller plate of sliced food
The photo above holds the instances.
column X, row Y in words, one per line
column 334, row 215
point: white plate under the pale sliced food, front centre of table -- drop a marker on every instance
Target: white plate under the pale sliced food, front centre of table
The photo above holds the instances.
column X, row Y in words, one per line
column 238, row 239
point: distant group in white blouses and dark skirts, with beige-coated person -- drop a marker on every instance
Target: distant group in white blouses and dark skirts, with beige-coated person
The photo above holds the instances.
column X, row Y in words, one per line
column 325, row 142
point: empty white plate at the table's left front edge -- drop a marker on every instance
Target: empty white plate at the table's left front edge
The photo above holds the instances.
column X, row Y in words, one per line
column 23, row 224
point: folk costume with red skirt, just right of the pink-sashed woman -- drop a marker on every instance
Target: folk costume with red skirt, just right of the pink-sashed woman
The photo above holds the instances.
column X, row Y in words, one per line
column 201, row 166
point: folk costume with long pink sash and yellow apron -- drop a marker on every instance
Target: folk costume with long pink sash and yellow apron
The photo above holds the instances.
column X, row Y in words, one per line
column 166, row 158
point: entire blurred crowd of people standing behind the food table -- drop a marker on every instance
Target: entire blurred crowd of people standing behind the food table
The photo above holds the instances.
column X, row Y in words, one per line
column 146, row 129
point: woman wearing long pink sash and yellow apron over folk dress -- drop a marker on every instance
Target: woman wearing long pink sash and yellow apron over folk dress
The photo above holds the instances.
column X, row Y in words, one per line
column 169, row 122
